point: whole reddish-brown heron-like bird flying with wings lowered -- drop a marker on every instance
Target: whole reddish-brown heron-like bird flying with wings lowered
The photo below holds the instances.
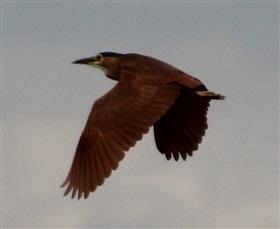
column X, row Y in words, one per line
column 148, row 92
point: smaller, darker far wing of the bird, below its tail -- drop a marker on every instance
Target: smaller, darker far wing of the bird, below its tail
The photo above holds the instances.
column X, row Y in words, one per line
column 181, row 129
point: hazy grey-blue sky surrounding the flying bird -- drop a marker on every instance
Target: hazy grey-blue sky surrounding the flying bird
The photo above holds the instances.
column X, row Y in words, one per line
column 231, row 181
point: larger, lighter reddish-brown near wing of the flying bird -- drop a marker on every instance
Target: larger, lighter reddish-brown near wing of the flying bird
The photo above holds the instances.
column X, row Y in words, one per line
column 116, row 121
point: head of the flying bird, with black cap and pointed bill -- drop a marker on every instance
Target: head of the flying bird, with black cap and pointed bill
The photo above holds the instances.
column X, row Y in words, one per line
column 108, row 62
